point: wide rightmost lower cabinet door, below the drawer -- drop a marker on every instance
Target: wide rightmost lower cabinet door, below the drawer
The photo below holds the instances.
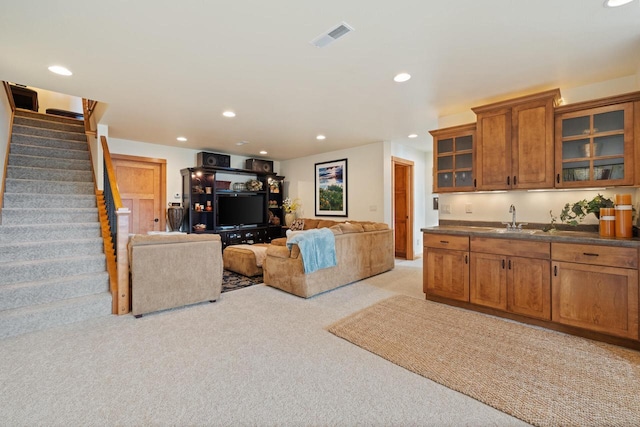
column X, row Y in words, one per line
column 598, row 298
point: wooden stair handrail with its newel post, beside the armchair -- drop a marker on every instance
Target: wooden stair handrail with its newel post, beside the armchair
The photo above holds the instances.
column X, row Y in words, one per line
column 118, row 220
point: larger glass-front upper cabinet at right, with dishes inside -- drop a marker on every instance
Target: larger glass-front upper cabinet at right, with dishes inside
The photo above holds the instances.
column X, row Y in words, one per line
column 594, row 146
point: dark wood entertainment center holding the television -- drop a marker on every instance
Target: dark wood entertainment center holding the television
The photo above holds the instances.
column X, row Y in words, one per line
column 204, row 187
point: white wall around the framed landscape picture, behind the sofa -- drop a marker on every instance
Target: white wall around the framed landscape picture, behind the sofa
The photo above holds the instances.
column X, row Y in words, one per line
column 366, row 186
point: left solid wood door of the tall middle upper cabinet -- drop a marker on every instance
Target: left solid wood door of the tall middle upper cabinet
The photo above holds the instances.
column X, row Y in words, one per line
column 493, row 154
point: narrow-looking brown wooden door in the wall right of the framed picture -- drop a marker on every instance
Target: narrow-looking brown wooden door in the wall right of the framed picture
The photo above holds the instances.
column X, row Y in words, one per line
column 403, row 207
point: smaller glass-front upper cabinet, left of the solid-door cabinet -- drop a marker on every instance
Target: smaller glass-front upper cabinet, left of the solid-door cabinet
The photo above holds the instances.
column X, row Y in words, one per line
column 453, row 158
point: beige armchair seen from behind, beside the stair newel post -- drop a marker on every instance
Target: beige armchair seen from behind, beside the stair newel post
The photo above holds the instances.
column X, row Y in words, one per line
column 173, row 270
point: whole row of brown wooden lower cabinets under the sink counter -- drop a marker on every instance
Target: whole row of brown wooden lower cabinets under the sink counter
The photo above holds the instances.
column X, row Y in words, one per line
column 584, row 286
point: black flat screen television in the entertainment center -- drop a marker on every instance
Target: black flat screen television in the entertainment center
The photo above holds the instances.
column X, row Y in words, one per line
column 241, row 209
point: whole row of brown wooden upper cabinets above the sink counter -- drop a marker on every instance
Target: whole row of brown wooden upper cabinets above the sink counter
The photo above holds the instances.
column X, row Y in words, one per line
column 532, row 143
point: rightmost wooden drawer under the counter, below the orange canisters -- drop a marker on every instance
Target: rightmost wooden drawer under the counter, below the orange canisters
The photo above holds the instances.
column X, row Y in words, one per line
column 595, row 254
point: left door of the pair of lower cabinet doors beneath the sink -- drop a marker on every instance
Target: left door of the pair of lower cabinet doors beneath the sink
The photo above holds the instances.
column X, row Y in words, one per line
column 488, row 284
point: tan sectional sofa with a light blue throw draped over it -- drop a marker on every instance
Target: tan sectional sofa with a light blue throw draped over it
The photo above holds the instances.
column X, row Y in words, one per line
column 363, row 249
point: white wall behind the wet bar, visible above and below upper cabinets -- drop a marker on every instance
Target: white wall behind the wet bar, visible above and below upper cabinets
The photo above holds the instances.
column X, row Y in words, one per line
column 533, row 206
